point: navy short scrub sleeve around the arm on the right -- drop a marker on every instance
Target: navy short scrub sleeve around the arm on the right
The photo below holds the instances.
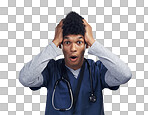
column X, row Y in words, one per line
column 102, row 72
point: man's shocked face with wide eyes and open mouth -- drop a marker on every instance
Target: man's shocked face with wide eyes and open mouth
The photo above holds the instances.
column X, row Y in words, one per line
column 73, row 50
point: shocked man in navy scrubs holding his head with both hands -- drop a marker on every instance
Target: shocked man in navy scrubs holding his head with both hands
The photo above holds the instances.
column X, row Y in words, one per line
column 74, row 84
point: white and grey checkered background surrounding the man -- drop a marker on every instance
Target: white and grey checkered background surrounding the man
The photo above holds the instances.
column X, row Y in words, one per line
column 27, row 26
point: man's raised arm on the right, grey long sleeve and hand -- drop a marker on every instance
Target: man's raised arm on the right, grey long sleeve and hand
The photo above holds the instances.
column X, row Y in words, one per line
column 118, row 72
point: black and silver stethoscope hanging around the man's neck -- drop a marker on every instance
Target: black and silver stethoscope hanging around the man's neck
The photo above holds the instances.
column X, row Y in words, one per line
column 92, row 97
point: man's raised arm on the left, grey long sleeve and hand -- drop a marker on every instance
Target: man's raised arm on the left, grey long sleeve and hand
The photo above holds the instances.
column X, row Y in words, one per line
column 30, row 75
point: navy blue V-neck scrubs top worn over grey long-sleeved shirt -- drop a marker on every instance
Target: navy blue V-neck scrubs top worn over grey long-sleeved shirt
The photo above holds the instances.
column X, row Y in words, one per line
column 52, row 73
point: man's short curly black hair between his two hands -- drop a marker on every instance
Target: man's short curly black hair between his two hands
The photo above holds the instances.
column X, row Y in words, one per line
column 73, row 24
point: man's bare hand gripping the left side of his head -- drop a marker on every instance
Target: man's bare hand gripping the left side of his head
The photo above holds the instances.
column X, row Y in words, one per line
column 58, row 38
